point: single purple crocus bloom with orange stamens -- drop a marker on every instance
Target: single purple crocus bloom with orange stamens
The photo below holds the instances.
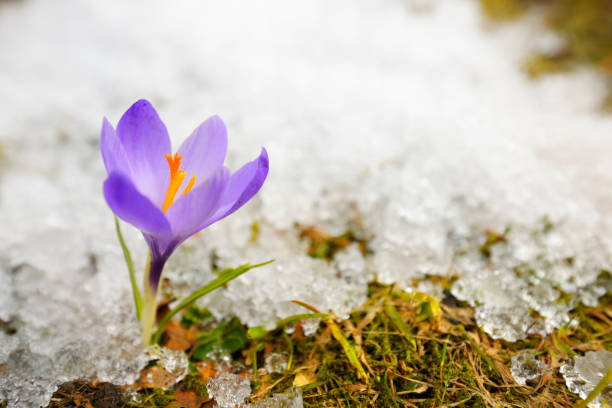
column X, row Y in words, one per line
column 171, row 197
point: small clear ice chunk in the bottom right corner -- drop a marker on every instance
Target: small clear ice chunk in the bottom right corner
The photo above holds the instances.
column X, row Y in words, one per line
column 583, row 373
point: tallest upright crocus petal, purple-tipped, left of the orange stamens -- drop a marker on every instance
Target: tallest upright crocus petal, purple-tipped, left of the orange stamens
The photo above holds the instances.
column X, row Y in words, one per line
column 146, row 141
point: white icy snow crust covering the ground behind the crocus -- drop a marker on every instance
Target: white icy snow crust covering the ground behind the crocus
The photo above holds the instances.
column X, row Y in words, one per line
column 408, row 122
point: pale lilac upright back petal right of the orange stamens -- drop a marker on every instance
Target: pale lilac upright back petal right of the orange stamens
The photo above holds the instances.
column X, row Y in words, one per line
column 204, row 151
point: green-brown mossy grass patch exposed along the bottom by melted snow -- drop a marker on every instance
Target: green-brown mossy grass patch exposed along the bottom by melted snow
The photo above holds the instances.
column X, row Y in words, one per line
column 442, row 359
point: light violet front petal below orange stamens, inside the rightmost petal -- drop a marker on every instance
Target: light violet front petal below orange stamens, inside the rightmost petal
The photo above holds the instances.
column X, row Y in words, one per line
column 194, row 208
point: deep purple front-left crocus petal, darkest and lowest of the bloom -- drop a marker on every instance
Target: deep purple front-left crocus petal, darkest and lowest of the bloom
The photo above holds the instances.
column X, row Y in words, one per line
column 132, row 206
